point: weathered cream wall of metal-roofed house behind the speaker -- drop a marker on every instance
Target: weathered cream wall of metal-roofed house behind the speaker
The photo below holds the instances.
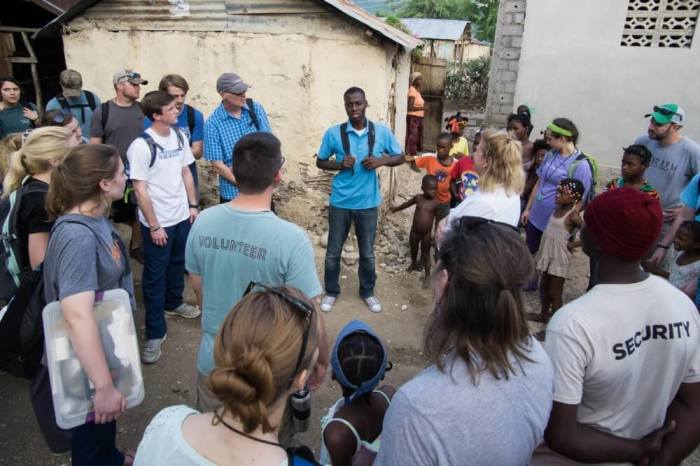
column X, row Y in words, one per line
column 299, row 79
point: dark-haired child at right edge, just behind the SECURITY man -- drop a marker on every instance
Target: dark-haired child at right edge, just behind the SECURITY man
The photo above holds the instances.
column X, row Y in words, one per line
column 686, row 268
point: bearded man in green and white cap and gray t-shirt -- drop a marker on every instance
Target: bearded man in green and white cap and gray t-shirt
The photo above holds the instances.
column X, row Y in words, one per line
column 675, row 160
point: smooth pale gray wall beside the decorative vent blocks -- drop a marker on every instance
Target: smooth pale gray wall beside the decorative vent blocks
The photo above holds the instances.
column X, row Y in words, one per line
column 572, row 64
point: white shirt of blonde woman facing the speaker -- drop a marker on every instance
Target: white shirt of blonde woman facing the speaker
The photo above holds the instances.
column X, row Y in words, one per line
column 497, row 205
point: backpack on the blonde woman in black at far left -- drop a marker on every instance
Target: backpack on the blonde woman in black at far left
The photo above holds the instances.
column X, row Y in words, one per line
column 12, row 269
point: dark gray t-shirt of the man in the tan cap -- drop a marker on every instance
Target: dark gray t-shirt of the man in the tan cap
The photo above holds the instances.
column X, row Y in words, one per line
column 124, row 124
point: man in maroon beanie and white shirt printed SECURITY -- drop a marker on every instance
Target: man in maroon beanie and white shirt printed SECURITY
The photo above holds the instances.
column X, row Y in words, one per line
column 626, row 354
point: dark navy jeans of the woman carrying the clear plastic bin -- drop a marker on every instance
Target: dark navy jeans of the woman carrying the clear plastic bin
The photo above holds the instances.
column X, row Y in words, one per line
column 95, row 444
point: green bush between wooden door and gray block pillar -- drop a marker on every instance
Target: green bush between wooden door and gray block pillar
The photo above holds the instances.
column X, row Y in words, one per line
column 468, row 81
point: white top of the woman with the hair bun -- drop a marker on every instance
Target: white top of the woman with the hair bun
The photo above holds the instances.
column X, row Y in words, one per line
column 164, row 445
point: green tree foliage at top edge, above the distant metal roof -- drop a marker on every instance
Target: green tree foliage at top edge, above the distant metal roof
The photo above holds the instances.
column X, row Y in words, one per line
column 482, row 13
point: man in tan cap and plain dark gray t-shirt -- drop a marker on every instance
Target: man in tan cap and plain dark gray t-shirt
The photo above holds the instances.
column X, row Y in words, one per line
column 118, row 122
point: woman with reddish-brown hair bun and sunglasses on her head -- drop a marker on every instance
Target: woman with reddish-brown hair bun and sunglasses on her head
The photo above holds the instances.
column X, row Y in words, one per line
column 264, row 352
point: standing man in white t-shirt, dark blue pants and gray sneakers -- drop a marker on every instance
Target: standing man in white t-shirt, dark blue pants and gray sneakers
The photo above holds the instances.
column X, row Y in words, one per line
column 159, row 167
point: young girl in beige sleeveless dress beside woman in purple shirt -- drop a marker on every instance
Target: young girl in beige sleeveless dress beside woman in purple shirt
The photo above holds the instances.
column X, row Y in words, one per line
column 554, row 254
